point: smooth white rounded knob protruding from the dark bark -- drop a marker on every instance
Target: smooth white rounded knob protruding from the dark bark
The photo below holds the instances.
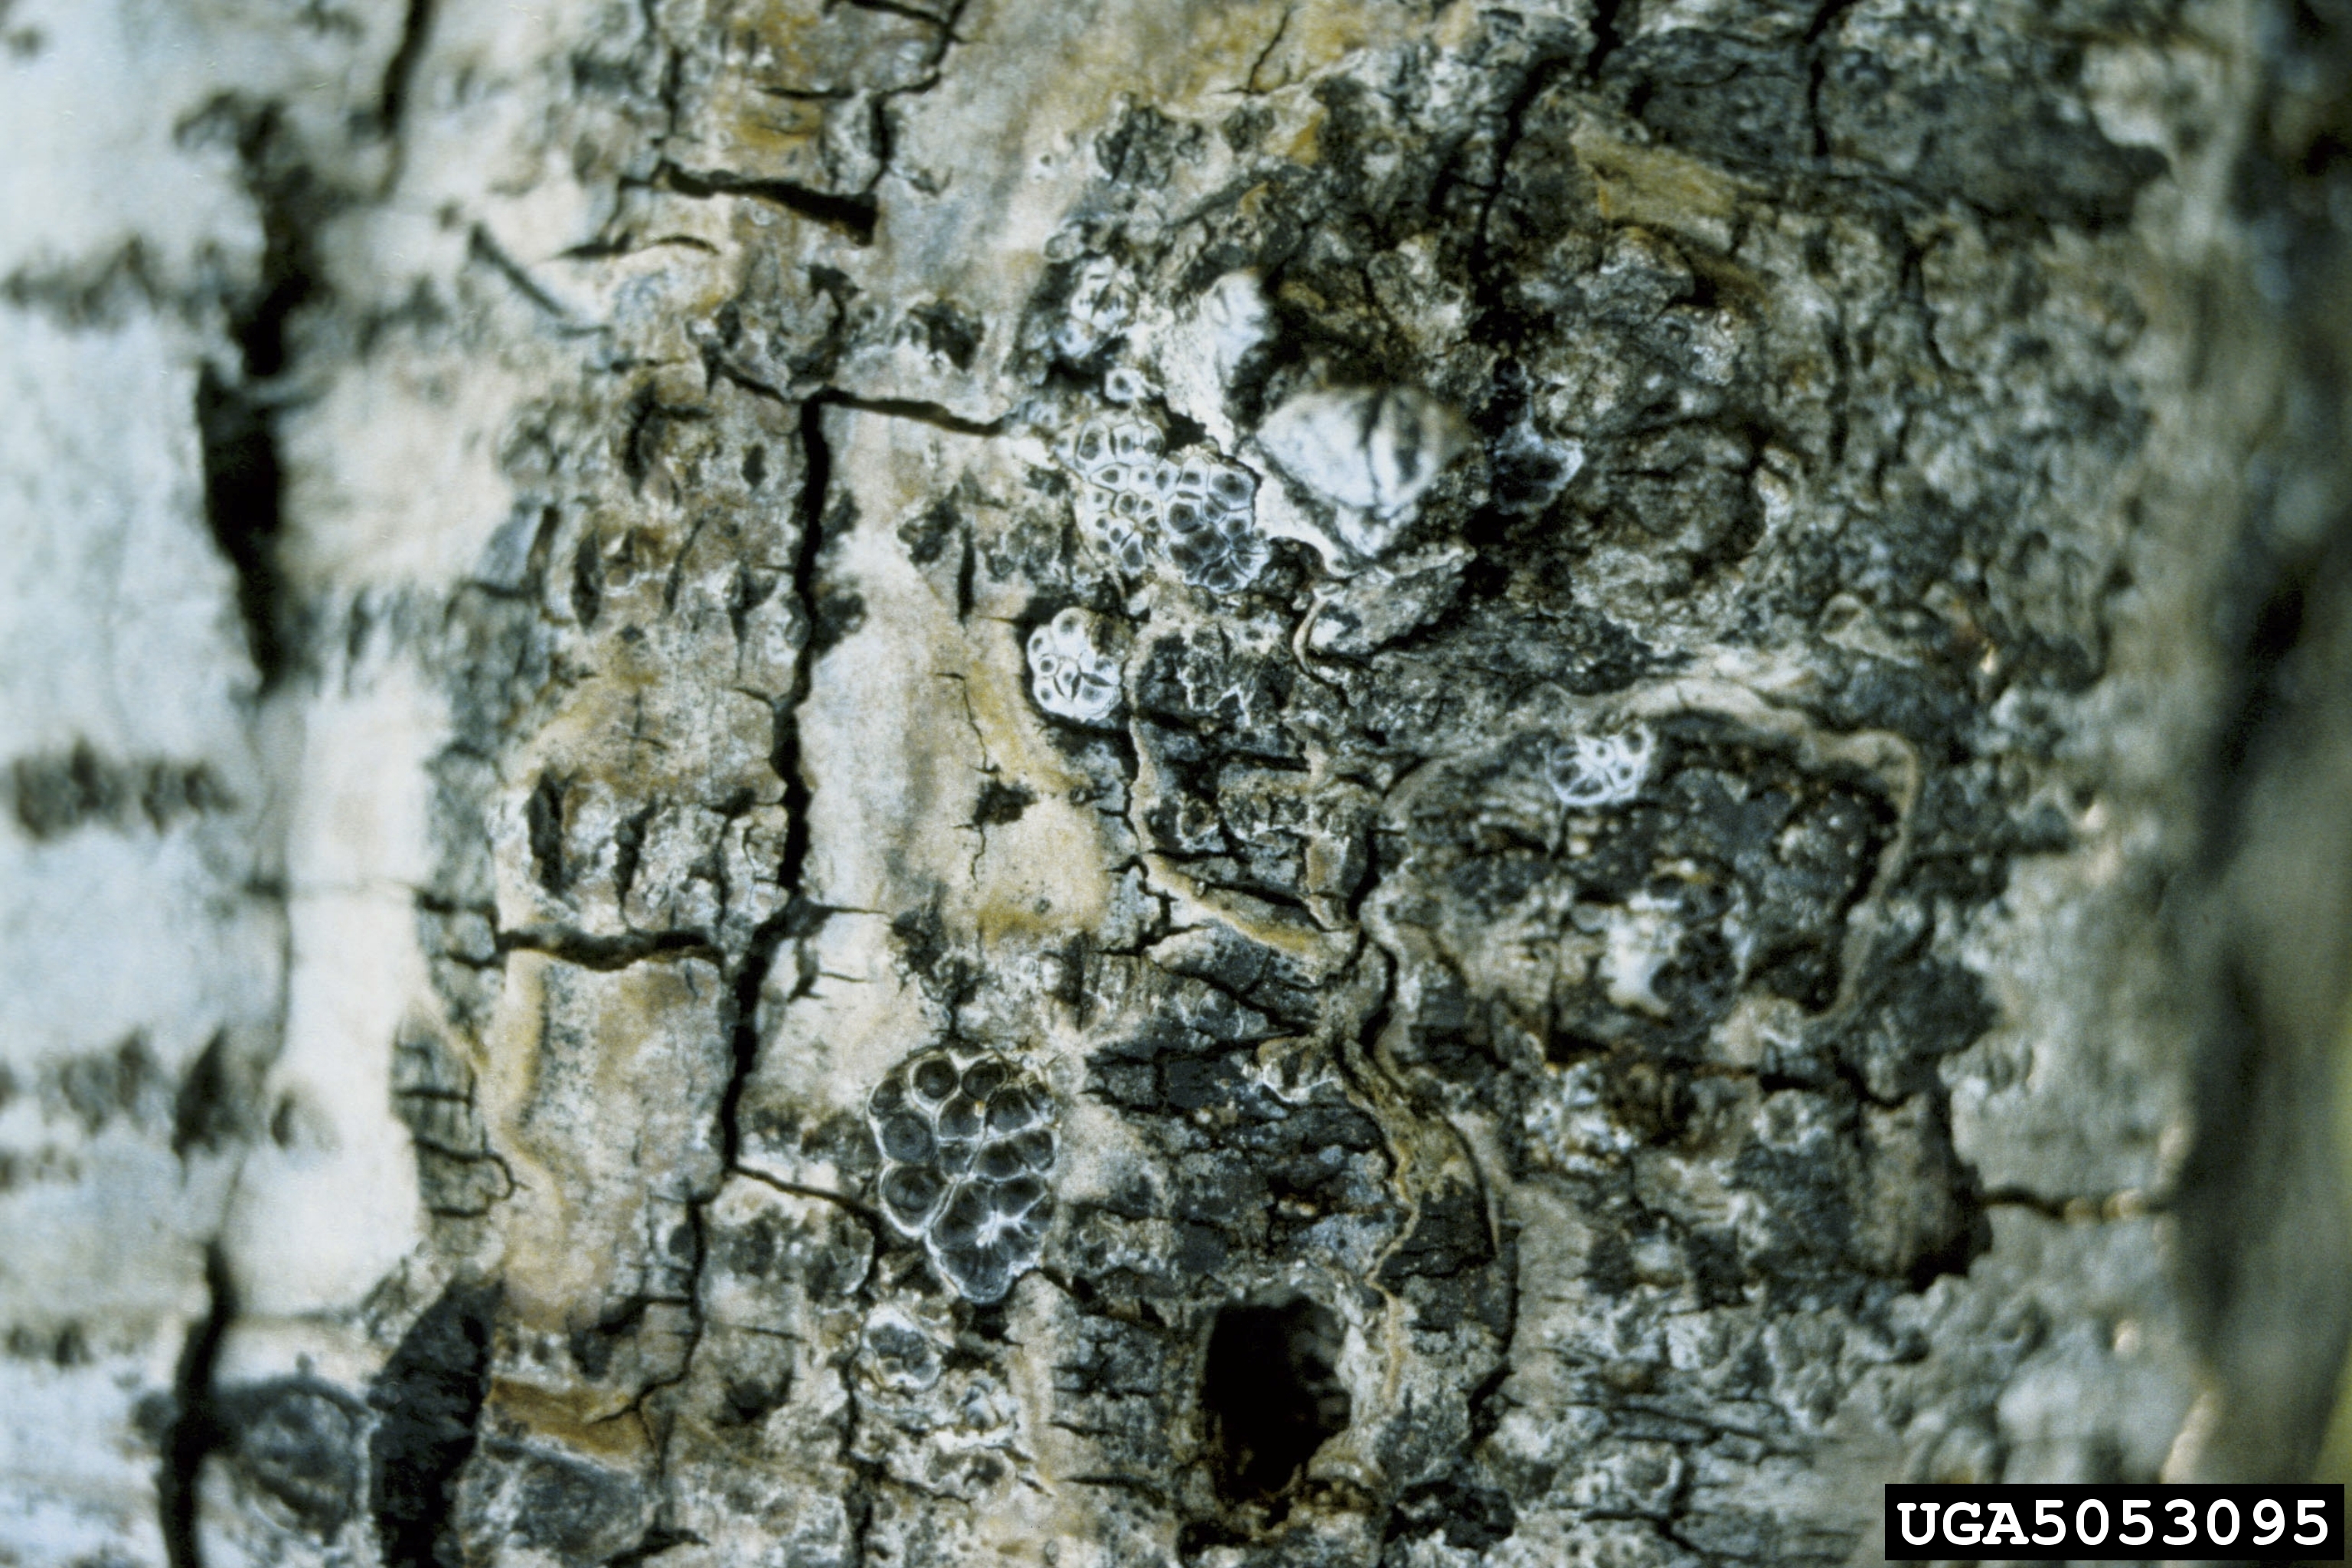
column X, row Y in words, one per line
column 1370, row 453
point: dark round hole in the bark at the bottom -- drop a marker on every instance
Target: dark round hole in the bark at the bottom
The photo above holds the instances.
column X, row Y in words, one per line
column 1271, row 1395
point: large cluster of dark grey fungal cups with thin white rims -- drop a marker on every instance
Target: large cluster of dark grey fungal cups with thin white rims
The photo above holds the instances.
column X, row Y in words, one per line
column 968, row 1144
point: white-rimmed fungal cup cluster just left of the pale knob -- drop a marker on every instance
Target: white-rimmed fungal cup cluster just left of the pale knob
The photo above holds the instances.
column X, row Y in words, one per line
column 1198, row 511
